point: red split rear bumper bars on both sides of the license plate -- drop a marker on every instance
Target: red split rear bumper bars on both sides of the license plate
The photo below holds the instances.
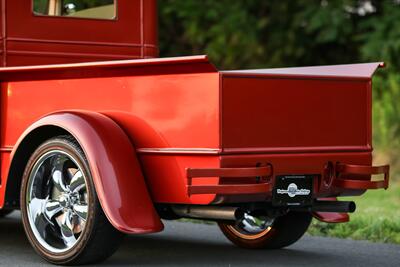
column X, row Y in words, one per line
column 260, row 180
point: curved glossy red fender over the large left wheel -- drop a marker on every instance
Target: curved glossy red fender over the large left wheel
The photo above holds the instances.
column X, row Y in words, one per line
column 115, row 169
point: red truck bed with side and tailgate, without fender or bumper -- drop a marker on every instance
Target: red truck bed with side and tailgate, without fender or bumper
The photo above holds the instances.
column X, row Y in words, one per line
column 182, row 113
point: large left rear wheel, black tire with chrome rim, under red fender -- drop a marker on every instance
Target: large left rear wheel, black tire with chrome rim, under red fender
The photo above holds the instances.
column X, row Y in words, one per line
column 61, row 213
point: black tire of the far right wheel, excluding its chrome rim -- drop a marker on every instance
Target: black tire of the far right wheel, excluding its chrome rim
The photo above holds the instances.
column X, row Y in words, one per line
column 281, row 232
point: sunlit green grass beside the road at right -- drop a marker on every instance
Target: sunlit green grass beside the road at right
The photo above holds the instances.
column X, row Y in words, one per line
column 377, row 218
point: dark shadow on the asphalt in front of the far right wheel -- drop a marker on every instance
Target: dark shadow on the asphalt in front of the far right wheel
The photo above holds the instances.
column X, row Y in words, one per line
column 161, row 251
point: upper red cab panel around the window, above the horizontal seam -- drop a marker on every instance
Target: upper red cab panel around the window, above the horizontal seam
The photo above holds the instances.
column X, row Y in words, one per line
column 22, row 23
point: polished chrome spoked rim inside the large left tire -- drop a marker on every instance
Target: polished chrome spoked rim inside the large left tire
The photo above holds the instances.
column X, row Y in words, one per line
column 57, row 201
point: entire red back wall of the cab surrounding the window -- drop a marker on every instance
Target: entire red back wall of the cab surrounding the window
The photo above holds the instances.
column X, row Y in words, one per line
column 34, row 40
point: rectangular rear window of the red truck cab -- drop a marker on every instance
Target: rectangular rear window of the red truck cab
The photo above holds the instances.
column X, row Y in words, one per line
column 94, row 9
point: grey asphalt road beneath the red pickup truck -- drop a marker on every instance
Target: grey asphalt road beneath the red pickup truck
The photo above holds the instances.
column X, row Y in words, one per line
column 186, row 244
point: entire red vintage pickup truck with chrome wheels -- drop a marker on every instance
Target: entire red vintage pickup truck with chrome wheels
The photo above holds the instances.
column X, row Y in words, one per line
column 100, row 138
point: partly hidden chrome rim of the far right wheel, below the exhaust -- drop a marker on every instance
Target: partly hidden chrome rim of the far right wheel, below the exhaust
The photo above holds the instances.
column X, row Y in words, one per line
column 252, row 227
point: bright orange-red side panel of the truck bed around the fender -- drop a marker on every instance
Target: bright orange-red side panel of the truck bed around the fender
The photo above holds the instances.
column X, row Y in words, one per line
column 166, row 112
